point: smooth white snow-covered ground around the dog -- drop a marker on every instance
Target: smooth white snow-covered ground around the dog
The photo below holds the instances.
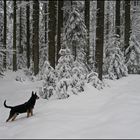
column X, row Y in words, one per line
column 113, row 112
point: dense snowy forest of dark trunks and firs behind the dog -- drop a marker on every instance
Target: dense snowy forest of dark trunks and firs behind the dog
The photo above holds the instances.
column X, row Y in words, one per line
column 69, row 43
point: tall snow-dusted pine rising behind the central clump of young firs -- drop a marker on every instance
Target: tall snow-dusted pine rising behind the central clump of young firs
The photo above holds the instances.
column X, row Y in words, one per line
column 75, row 32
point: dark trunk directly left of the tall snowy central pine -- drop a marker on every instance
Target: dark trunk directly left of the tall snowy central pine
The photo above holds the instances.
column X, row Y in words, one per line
column 60, row 26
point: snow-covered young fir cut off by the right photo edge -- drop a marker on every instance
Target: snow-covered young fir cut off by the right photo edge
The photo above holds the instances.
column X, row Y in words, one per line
column 133, row 56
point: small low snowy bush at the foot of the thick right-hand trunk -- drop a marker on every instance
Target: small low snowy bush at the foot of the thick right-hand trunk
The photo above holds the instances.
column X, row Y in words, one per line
column 93, row 79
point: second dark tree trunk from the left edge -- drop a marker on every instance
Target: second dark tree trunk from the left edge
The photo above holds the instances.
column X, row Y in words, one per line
column 14, row 39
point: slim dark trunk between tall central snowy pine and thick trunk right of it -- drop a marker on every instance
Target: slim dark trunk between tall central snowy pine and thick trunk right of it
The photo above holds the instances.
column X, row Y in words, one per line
column 87, row 23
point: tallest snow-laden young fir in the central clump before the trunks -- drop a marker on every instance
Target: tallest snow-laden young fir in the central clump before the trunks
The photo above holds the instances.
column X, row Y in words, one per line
column 64, row 73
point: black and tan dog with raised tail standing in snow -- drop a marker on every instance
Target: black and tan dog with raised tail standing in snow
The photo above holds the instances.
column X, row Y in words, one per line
column 23, row 108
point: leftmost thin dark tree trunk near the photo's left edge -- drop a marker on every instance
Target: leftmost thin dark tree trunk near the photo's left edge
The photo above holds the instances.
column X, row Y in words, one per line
column 5, row 35
